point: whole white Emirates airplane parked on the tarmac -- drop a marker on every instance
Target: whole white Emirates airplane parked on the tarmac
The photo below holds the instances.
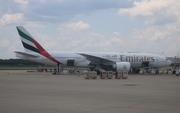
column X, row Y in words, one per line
column 109, row 61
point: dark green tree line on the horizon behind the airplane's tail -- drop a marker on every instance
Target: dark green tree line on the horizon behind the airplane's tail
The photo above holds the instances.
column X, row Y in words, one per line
column 18, row 62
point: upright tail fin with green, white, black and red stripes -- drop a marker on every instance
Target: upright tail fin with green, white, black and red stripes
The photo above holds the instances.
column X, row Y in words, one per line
column 29, row 43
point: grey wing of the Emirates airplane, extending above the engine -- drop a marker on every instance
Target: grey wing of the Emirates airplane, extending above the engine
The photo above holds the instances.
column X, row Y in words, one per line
column 96, row 59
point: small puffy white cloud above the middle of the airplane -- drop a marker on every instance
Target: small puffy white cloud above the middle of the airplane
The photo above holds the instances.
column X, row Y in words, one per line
column 78, row 26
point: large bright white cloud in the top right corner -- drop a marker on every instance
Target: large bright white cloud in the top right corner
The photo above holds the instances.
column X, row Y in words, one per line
column 154, row 11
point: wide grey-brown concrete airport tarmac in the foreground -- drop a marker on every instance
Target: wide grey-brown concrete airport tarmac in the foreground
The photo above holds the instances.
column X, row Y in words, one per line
column 34, row 92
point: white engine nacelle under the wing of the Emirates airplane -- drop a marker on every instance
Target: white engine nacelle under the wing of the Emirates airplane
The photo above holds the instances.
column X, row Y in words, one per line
column 122, row 66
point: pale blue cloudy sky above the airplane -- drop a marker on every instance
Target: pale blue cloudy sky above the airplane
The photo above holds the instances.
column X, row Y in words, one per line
column 151, row 26
